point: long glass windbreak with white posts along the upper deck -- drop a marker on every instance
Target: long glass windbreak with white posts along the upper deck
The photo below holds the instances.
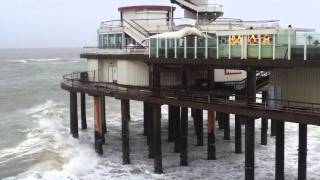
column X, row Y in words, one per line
column 283, row 45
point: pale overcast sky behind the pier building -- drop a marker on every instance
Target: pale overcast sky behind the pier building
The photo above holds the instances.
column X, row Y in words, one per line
column 73, row 23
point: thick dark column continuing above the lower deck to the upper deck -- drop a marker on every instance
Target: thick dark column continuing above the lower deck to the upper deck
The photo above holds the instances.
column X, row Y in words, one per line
column 250, row 127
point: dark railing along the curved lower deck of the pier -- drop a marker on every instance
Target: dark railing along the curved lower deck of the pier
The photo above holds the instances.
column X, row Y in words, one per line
column 73, row 80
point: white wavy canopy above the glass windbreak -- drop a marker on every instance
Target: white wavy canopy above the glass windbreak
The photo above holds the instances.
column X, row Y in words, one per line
column 187, row 31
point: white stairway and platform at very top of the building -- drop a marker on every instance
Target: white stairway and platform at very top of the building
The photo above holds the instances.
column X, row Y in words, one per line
column 200, row 9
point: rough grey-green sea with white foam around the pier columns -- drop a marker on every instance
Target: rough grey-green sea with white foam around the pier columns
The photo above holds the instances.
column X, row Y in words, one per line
column 35, row 142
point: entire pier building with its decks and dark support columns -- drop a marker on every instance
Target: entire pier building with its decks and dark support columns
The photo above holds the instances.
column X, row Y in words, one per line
column 204, row 62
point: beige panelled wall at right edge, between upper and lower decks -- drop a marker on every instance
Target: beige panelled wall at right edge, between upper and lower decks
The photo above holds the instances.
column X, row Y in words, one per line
column 298, row 84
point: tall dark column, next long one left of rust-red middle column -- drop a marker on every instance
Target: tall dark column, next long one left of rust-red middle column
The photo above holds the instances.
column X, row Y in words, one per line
column 184, row 137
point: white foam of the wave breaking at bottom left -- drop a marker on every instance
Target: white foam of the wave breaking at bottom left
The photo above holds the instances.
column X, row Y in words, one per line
column 59, row 155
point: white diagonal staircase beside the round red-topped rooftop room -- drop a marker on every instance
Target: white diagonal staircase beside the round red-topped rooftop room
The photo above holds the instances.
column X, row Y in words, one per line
column 136, row 32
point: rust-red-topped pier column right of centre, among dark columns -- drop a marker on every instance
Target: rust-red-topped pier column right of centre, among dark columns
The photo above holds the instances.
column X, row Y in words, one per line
column 211, row 135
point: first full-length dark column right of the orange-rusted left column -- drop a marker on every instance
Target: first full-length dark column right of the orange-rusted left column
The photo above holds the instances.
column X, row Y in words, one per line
column 125, row 131
